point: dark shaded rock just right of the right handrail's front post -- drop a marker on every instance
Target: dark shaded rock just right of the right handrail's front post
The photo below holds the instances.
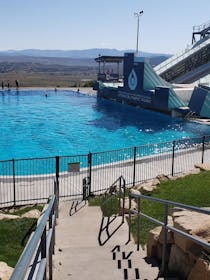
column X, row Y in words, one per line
column 180, row 263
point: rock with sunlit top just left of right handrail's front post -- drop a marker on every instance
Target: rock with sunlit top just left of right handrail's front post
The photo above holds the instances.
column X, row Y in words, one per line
column 152, row 242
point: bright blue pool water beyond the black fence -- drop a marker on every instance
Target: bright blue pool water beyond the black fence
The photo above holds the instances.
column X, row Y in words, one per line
column 68, row 123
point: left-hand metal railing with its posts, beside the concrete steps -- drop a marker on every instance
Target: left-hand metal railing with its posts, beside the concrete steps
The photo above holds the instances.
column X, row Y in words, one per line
column 36, row 259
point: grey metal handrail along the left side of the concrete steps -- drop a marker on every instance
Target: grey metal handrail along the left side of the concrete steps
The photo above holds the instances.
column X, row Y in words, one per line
column 46, row 242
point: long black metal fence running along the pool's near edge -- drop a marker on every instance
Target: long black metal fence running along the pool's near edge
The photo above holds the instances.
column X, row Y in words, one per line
column 31, row 180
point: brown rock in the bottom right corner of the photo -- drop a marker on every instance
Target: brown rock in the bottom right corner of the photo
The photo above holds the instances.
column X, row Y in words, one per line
column 201, row 270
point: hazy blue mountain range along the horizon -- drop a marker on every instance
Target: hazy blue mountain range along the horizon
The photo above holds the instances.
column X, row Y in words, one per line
column 88, row 53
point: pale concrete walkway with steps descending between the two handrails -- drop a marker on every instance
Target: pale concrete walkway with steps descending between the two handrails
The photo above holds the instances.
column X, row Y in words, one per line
column 79, row 256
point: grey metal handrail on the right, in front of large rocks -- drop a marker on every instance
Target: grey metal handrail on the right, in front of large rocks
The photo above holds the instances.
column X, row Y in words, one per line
column 164, row 224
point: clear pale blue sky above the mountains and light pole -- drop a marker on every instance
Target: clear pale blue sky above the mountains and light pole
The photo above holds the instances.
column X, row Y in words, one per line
column 165, row 26
